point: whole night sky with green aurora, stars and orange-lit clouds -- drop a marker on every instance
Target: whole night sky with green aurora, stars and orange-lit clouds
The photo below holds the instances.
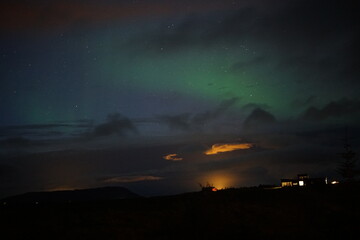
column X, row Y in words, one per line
column 143, row 94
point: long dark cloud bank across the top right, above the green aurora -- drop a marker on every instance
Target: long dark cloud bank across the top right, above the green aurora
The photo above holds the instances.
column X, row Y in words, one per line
column 293, row 21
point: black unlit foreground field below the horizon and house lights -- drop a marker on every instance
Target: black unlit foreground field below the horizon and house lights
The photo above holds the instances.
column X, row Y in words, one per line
column 327, row 213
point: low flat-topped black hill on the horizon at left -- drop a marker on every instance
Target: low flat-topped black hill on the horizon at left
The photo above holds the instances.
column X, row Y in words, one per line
column 92, row 194
